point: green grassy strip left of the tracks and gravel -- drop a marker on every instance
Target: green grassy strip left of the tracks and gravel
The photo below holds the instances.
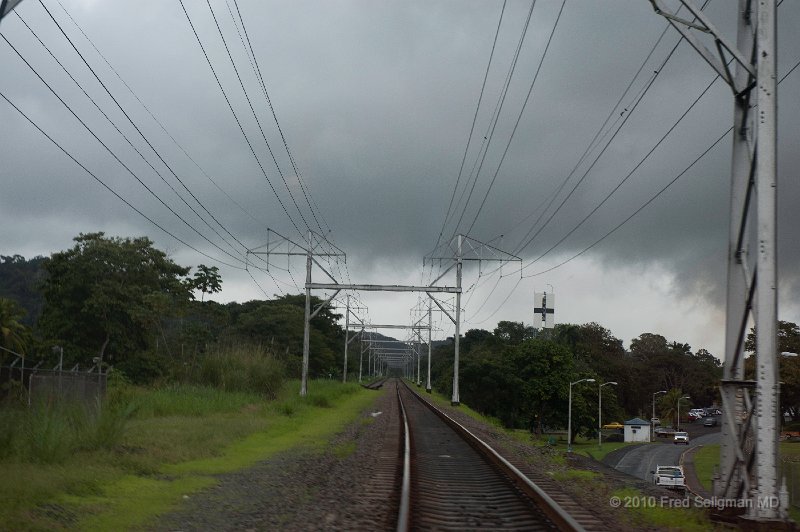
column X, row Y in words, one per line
column 161, row 445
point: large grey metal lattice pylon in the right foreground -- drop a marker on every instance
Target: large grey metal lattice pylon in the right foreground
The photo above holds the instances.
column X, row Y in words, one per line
column 749, row 449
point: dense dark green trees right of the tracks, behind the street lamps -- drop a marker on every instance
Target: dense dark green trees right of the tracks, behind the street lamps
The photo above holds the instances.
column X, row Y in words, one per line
column 522, row 376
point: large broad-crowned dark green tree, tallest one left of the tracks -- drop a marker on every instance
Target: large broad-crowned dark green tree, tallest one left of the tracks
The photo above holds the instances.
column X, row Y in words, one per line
column 103, row 296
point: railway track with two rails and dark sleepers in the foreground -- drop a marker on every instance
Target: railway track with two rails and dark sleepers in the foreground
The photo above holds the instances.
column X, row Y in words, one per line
column 454, row 481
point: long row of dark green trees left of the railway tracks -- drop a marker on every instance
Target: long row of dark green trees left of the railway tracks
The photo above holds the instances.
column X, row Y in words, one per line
column 124, row 303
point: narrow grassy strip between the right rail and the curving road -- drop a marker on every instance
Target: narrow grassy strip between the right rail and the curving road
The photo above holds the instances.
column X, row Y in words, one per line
column 642, row 512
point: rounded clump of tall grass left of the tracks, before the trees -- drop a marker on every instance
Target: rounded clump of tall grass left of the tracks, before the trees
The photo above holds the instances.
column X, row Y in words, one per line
column 242, row 368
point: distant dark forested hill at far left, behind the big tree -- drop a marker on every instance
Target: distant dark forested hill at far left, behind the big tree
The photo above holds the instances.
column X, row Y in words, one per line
column 19, row 281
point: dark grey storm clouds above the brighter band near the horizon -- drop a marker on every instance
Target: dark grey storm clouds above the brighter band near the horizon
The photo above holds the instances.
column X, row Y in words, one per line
column 376, row 100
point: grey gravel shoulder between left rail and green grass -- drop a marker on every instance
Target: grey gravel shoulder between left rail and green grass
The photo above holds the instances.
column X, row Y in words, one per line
column 301, row 489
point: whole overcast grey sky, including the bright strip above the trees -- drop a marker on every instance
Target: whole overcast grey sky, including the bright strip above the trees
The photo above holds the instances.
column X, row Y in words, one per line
column 376, row 102
